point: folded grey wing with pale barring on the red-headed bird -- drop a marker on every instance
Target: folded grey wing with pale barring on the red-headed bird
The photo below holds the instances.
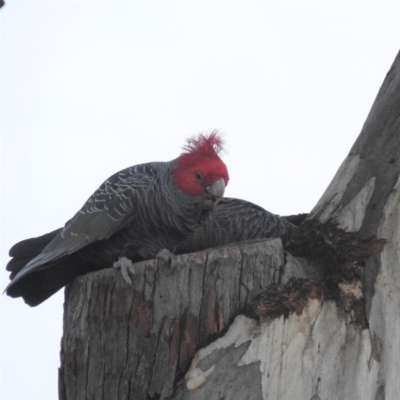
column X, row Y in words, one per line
column 111, row 208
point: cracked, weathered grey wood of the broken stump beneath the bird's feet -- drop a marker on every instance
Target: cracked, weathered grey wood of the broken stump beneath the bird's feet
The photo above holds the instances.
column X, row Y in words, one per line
column 123, row 342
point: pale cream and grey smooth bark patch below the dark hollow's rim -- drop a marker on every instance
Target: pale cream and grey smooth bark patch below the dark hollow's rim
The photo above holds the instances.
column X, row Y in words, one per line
column 316, row 354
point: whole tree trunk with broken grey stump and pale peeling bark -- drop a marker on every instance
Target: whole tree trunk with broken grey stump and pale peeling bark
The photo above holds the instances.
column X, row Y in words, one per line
column 320, row 321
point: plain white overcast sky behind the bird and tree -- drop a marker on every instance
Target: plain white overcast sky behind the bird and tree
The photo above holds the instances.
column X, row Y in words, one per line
column 89, row 88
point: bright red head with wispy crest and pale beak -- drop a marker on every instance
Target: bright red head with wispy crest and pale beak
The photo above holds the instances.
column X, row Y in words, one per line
column 200, row 171
